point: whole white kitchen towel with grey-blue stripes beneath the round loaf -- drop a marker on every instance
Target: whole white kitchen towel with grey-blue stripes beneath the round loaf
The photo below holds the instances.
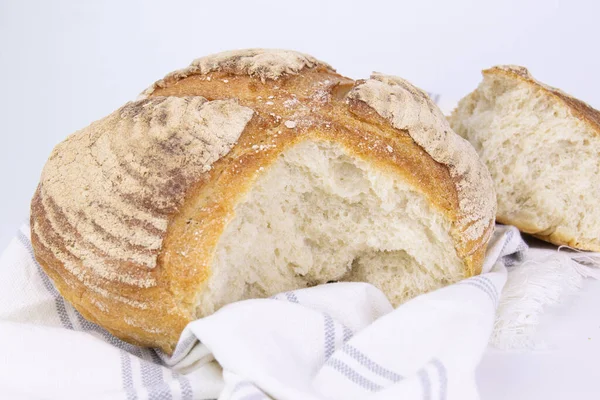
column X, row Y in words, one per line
column 332, row 341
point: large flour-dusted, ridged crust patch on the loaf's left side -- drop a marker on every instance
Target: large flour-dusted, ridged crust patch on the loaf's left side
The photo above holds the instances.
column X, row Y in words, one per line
column 107, row 191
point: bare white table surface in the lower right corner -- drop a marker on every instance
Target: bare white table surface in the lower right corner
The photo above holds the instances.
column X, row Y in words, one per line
column 569, row 368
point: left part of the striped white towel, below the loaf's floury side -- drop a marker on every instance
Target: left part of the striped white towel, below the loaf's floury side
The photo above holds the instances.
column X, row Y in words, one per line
column 49, row 351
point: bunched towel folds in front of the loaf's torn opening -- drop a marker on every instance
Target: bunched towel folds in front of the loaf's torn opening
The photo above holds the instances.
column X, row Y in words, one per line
column 345, row 341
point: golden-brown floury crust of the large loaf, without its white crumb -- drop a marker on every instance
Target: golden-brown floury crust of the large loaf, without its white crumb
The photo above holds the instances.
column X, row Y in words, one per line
column 117, row 215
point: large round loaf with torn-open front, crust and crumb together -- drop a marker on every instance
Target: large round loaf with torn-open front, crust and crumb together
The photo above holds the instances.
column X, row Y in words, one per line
column 250, row 173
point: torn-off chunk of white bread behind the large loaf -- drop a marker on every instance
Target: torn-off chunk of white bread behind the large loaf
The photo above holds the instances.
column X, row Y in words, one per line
column 542, row 148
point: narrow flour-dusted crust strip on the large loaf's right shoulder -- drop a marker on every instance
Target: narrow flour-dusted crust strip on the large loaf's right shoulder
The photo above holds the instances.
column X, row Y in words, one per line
column 410, row 109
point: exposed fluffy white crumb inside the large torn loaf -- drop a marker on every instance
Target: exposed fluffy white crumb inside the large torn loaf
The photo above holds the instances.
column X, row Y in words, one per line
column 319, row 214
